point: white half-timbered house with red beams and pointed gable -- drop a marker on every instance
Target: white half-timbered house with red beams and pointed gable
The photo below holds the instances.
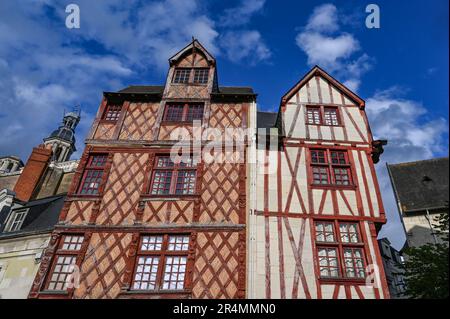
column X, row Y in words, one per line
column 317, row 206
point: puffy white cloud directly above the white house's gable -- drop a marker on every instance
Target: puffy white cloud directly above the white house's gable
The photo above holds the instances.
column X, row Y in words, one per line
column 325, row 45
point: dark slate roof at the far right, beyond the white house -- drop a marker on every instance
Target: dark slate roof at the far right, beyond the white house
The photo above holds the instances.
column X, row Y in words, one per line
column 421, row 185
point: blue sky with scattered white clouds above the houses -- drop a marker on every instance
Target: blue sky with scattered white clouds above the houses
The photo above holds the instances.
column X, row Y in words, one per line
column 401, row 69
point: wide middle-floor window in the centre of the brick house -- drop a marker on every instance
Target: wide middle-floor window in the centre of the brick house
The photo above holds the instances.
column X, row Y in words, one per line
column 171, row 178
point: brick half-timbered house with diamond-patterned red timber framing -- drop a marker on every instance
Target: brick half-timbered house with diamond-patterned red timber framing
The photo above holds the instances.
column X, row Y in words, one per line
column 205, row 203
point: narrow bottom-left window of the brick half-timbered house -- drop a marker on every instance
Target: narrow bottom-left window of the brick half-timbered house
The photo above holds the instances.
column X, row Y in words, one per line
column 64, row 262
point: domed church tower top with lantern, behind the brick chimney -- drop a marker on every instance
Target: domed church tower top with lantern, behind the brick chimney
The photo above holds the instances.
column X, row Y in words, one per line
column 62, row 140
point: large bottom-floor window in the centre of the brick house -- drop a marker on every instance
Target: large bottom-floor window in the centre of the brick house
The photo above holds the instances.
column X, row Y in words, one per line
column 161, row 262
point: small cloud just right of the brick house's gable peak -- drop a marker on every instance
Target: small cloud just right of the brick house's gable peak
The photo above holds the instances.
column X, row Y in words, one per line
column 245, row 45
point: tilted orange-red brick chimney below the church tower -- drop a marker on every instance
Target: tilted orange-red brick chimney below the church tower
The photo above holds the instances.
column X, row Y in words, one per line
column 32, row 172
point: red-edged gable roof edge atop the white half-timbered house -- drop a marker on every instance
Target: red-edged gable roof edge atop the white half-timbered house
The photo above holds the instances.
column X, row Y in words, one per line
column 316, row 70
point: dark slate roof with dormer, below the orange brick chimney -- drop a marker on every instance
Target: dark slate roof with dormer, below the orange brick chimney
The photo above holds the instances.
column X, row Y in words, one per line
column 42, row 216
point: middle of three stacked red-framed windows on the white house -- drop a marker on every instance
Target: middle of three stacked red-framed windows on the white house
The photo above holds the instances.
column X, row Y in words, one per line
column 330, row 168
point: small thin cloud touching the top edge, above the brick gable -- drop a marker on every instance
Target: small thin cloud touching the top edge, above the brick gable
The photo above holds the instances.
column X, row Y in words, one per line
column 241, row 14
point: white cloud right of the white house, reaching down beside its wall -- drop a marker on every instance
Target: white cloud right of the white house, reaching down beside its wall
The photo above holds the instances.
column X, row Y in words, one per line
column 411, row 136
